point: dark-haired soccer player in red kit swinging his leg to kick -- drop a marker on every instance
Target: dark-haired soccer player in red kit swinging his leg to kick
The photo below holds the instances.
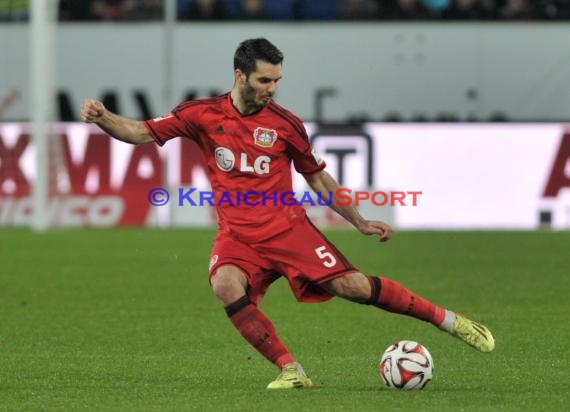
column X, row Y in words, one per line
column 249, row 142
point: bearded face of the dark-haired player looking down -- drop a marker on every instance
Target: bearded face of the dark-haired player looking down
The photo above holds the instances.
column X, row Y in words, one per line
column 258, row 90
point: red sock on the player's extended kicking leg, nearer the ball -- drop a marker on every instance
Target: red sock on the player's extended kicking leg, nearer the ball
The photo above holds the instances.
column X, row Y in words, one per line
column 393, row 297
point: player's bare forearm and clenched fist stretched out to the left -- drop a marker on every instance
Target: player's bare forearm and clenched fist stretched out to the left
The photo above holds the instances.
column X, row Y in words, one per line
column 121, row 128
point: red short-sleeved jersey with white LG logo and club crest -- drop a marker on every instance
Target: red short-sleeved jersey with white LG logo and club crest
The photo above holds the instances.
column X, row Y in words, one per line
column 248, row 161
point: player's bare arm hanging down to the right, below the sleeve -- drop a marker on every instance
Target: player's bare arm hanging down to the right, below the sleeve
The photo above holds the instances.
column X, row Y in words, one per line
column 323, row 183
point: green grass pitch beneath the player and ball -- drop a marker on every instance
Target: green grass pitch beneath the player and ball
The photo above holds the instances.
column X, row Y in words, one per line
column 125, row 320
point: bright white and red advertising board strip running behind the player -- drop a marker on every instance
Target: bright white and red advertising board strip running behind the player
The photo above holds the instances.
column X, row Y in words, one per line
column 470, row 176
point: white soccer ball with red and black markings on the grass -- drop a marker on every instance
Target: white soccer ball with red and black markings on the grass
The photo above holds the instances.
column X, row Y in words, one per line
column 406, row 365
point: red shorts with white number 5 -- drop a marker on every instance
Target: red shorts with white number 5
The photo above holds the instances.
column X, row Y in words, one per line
column 302, row 254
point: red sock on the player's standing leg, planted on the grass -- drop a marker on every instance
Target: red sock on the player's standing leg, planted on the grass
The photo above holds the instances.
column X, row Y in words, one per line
column 258, row 330
